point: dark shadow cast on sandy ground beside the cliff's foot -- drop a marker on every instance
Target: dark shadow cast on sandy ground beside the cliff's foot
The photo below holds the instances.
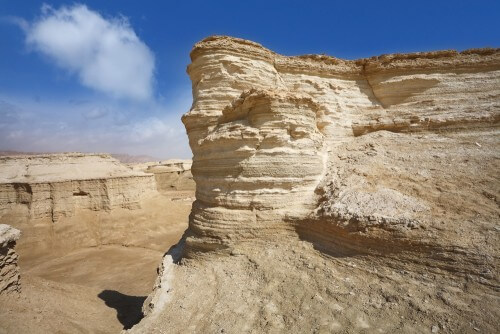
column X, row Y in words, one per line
column 128, row 308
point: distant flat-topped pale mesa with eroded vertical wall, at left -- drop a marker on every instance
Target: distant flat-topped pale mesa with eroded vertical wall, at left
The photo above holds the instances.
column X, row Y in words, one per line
column 56, row 185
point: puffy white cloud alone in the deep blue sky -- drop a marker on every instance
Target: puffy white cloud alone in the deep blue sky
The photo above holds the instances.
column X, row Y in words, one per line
column 106, row 54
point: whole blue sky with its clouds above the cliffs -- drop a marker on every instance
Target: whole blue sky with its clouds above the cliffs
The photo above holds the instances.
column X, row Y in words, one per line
column 69, row 82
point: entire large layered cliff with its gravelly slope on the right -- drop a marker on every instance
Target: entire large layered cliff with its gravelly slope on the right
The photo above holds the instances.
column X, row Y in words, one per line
column 343, row 190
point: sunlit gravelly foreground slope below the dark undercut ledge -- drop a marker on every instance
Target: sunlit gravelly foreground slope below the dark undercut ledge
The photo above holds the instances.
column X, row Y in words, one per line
column 286, row 286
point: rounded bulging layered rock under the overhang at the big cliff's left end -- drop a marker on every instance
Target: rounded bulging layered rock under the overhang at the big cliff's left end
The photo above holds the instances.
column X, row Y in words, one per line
column 259, row 165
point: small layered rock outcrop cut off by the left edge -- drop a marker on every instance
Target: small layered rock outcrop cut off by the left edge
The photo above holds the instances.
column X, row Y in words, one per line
column 9, row 271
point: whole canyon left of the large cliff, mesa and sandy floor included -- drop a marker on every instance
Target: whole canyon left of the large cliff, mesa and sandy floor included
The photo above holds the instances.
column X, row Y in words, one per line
column 86, row 221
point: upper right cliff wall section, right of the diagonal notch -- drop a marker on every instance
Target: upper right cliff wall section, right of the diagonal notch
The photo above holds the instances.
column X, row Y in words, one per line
column 434, row 90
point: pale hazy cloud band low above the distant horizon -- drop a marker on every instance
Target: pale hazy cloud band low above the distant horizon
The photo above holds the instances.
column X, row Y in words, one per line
column 96, row 126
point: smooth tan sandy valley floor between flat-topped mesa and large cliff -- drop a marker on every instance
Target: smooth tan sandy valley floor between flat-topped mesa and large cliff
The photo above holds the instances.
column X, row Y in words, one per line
column 92, row 272
